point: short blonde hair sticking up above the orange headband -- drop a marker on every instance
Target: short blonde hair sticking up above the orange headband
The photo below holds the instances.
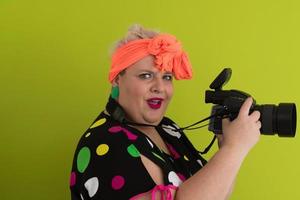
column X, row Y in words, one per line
column 134, row 32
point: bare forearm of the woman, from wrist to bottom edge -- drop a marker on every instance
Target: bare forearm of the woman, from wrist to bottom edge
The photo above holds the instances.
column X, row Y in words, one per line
column 215, row 180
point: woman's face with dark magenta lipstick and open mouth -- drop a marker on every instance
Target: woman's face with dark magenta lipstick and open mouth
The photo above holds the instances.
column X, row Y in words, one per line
column 145, row 91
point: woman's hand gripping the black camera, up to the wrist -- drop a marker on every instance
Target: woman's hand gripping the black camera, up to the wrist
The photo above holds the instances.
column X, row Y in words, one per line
column 243, row 132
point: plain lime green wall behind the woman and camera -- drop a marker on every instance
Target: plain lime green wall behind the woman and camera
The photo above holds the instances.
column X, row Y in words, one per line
column 54, row 64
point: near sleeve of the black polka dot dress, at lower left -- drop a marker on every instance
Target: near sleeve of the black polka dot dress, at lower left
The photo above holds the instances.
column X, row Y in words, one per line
column 107, row 165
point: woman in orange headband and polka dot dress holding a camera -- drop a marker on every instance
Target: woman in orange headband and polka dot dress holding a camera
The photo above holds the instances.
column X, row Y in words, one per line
column 131, row 151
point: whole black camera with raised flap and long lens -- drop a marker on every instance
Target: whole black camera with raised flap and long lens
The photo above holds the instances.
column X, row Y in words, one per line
column 279, row 119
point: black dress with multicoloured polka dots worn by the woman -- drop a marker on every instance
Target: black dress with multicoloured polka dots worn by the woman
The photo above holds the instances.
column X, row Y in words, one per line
column 107, row 162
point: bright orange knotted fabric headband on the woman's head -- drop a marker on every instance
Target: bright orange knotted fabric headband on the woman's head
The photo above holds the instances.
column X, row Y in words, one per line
column 167, row 50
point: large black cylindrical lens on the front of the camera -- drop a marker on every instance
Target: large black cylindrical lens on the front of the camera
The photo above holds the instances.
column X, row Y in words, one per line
column 279, row 119
